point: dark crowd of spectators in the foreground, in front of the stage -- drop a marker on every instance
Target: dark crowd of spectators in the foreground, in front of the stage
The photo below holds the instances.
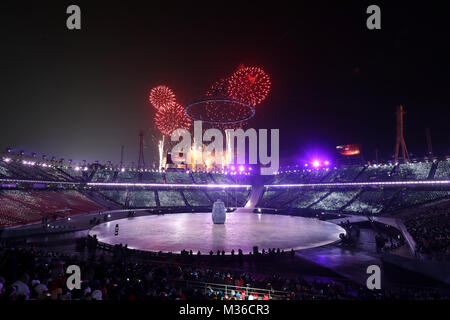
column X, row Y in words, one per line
column 27, row 273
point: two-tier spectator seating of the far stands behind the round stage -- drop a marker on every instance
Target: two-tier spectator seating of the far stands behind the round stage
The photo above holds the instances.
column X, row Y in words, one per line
column 354, row 199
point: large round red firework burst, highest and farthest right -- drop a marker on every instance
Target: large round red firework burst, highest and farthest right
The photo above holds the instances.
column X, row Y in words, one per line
column 249, row 84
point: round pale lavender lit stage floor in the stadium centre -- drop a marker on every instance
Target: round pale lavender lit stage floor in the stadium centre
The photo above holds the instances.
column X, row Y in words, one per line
column 196, row 231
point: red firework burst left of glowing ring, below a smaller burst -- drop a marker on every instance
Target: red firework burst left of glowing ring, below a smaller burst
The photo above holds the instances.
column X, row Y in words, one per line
column 167, row 120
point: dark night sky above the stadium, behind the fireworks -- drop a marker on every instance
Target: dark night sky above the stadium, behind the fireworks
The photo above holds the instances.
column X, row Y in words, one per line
column 83, row 94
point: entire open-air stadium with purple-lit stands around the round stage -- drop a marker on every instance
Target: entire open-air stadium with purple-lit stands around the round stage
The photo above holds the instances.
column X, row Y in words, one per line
column 388, row 214
